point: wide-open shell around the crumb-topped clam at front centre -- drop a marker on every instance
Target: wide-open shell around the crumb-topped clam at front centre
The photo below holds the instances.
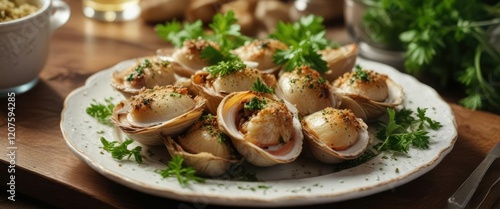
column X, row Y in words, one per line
column 227, row 118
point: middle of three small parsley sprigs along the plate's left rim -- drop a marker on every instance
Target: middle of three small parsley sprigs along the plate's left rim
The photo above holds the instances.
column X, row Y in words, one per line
column 119, row 151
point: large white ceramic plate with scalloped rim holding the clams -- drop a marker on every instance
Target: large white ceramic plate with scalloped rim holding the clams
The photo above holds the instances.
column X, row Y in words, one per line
column 302, row 182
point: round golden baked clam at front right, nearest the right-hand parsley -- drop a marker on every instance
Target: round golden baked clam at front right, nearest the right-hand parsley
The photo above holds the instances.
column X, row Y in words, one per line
column 334, row 135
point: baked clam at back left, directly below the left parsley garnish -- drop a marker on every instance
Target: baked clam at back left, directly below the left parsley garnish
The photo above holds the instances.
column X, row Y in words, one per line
column 187, row 59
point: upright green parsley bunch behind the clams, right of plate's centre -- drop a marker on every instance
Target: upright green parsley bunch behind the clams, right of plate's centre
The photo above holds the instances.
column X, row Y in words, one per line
column 304, row 39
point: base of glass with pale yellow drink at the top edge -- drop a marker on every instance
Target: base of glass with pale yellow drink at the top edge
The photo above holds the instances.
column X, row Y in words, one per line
column 111, row 10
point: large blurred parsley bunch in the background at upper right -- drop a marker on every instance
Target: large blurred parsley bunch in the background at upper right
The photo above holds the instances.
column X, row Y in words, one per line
column 449, row 39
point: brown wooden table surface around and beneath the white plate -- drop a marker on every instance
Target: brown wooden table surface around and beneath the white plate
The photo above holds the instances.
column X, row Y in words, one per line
column 49, row 175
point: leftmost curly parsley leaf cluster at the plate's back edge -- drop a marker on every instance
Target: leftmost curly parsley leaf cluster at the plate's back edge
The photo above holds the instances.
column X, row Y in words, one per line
column 177, row 33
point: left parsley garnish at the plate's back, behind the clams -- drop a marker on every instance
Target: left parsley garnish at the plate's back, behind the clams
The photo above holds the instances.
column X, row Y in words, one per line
column 225, row 32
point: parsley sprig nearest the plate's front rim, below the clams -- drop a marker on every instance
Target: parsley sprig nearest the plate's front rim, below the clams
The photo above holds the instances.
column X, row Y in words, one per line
column 183, row 174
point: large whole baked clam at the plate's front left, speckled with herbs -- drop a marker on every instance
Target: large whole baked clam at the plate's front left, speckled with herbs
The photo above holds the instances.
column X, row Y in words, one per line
column 160, row 111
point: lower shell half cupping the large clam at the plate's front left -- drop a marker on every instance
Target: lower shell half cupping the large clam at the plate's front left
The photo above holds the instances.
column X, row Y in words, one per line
column 151, row 134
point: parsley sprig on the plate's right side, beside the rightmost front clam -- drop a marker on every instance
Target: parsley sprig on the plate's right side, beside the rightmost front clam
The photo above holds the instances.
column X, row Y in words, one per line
column 404, row 130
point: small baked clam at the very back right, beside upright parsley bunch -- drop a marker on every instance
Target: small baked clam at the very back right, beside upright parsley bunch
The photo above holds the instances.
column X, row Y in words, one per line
column 339, row 60
